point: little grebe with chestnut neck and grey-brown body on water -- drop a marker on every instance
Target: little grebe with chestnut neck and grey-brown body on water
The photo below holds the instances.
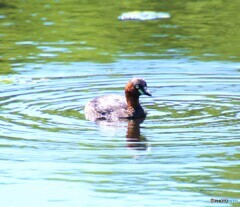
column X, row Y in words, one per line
column 114, row 107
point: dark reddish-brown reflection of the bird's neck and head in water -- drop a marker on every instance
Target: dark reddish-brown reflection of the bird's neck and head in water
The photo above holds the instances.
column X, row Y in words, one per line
column 134, row 139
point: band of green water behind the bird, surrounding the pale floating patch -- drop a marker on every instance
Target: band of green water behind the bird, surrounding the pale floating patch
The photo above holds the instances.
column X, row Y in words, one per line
column 66, row 31
